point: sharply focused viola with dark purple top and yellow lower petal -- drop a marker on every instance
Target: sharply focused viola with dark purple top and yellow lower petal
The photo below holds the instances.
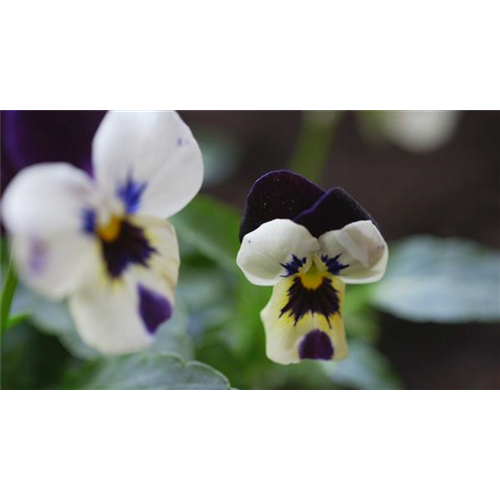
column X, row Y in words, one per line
column 307, row 243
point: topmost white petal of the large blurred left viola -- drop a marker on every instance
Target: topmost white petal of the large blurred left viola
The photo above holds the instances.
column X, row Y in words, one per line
column 154, row 149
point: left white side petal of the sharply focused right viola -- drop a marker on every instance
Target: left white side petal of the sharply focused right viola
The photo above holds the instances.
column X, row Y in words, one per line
column 264, row 251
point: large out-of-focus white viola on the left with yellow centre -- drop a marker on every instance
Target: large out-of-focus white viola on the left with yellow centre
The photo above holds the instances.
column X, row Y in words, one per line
column 102, row 241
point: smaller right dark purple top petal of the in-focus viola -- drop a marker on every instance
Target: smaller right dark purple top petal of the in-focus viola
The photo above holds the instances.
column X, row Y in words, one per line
column 334, row 210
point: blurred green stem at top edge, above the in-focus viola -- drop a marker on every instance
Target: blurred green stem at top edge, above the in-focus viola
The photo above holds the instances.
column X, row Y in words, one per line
column 313, row 145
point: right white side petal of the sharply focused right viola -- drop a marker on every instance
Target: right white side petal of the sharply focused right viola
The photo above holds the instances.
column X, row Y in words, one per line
column 361, row 247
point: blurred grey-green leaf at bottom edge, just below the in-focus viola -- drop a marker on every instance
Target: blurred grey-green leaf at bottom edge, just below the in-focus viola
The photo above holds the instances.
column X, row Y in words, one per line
column 366, row 370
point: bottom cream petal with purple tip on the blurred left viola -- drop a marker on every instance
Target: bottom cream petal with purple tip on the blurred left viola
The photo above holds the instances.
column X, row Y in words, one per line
column 121, row 316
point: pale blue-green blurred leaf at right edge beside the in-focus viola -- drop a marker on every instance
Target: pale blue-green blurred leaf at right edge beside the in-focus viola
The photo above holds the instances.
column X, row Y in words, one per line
column 441, row 280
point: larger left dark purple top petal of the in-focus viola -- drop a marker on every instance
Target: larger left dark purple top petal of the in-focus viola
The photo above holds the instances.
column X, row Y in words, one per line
column 278, row 195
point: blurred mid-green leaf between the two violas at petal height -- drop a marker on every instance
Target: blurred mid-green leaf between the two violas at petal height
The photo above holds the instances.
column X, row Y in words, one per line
column 212, row 228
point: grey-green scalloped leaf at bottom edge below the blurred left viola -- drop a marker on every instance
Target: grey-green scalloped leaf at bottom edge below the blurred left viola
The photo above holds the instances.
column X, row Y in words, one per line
column 148, row 370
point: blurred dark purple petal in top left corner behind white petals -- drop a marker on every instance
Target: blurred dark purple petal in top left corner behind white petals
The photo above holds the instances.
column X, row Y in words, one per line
column 34, row 136
